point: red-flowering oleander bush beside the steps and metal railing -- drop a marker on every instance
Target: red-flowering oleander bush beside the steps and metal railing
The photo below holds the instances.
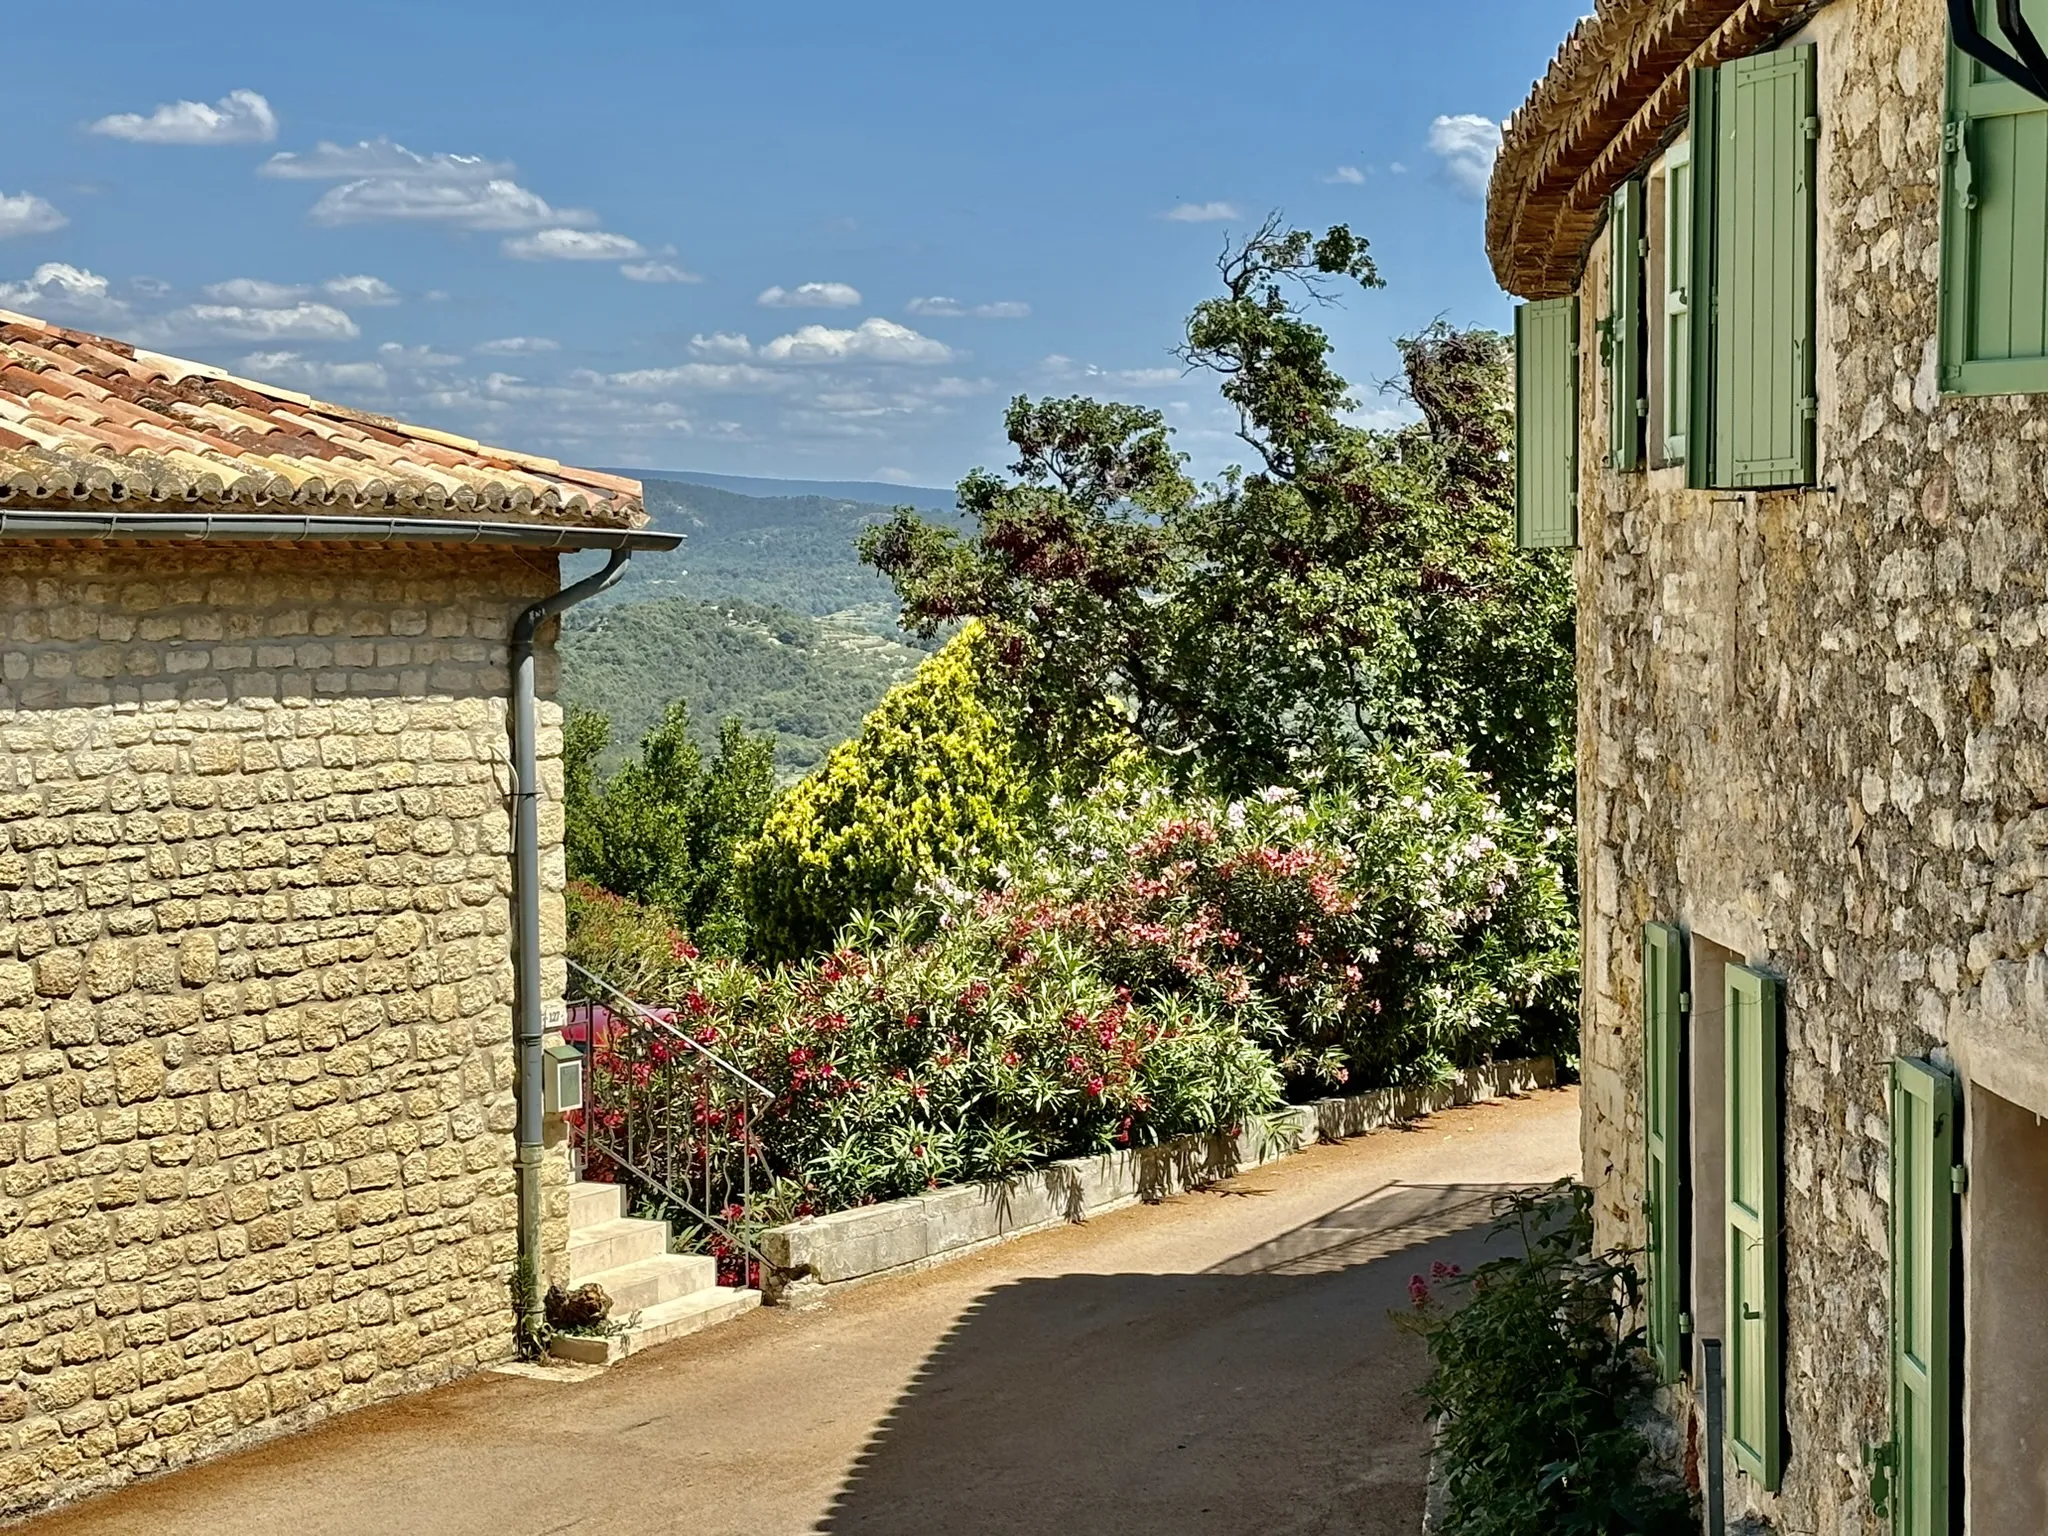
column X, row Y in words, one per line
column 925, row 1054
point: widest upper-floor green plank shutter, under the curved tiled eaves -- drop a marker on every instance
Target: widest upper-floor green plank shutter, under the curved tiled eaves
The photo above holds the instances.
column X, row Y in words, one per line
column 1754, row 144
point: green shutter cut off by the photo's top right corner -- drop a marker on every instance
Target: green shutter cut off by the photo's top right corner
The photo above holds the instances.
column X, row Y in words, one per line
column 1994, row 228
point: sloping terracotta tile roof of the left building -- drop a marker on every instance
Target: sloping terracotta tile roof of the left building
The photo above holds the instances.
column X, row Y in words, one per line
column 93, row 421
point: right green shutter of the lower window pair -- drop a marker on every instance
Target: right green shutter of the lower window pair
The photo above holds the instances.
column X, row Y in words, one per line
column 1756, row 1234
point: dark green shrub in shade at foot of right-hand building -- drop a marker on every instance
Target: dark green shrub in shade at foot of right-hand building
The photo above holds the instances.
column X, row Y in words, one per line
column 1537, row 1379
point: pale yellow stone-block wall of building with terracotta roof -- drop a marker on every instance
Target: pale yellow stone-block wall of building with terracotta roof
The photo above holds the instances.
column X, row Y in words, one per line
column 255, row 992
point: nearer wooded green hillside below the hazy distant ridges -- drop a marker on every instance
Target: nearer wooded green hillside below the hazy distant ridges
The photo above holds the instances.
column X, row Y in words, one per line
column 804, row 681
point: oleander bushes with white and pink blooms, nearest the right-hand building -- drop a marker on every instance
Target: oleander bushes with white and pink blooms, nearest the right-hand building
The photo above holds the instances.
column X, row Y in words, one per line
column 1392, row 931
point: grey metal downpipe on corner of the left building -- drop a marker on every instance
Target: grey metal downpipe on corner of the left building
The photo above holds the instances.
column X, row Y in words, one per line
column 527, row 1029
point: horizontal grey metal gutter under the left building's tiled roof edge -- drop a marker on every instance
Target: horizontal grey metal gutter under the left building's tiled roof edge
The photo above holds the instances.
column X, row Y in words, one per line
column 316, row 529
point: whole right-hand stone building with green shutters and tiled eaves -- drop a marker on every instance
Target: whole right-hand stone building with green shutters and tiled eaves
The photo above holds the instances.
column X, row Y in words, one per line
column 1783, row 388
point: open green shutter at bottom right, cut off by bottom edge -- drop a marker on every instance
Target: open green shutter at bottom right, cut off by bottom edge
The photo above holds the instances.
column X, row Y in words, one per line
column 1924, row 1242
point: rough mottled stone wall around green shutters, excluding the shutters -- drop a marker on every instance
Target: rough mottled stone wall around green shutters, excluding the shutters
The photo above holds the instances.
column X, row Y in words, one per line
column 1816, row 730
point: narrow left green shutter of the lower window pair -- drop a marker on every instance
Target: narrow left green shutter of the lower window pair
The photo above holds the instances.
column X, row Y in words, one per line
column 1662, row 1074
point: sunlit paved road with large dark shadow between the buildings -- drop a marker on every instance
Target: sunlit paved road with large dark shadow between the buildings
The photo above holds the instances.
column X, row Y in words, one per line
column 1215, row 1365
